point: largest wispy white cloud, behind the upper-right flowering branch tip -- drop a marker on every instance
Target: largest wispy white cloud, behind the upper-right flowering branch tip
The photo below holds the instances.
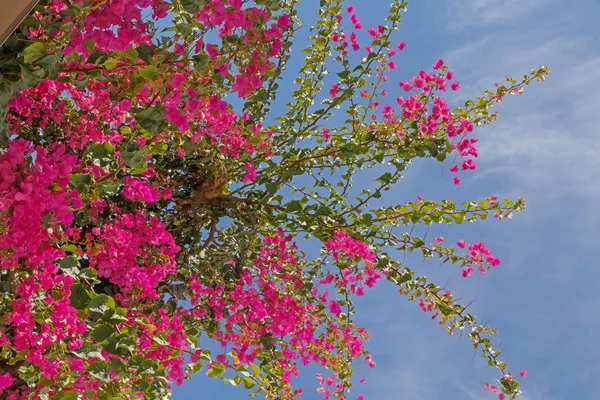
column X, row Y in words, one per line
column 550, row 139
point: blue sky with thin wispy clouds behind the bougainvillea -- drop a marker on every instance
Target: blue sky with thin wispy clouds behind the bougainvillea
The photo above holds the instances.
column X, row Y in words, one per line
column 544, row 297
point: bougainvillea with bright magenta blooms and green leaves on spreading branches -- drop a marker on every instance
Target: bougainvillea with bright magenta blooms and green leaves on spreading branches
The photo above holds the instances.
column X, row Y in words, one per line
column 151, row 200
